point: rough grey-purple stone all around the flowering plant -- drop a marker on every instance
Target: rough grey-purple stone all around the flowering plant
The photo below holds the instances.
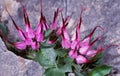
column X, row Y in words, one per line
column 98, row 12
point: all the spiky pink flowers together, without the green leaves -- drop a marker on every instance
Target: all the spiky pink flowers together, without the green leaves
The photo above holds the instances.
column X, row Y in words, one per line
column 80, row 50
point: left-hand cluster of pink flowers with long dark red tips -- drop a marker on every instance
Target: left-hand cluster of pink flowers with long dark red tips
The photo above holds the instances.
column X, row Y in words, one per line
column 29, row 37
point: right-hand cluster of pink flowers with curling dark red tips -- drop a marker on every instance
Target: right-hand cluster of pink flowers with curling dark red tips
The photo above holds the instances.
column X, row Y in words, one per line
column 81, row 49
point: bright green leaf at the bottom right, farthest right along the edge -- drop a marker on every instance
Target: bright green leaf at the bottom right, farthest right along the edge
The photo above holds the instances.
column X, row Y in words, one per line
column 100, row 71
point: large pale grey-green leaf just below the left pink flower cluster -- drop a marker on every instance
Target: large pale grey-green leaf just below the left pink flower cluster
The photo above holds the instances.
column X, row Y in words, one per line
column 46, row 57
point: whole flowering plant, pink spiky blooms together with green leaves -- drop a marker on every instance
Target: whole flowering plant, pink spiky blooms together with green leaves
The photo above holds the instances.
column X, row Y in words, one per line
column 54, row 49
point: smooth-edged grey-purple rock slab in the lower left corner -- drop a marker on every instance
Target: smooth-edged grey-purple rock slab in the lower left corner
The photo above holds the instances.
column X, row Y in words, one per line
column 12, row 65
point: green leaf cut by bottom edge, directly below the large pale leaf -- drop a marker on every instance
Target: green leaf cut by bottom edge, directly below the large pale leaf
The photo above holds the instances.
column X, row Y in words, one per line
column 54, row 72
